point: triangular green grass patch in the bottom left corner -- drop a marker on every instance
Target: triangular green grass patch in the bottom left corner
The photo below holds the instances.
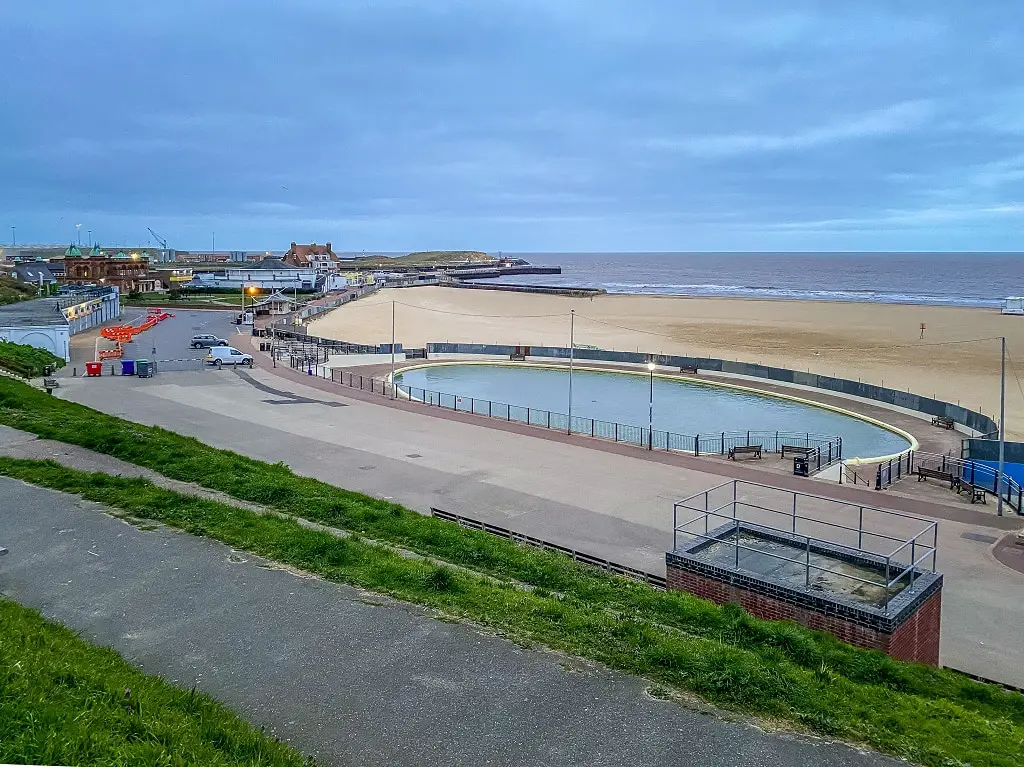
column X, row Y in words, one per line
column 66, row 702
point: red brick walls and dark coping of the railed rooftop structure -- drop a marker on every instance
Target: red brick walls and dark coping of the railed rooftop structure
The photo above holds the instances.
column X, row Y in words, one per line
column 909, row 631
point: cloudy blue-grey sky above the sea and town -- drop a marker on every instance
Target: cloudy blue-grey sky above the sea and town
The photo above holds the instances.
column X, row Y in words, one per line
column 516, row 125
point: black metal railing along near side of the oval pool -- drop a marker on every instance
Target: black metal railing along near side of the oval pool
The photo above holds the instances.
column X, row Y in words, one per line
column 821, row 451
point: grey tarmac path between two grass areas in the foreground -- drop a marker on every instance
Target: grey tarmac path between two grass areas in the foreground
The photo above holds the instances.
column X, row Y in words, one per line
column 347, row 676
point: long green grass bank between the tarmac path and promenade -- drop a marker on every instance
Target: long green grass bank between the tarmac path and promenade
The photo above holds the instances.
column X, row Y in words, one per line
column 772, row 669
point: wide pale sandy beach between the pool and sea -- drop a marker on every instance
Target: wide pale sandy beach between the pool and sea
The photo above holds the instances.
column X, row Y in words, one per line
column 879, row 344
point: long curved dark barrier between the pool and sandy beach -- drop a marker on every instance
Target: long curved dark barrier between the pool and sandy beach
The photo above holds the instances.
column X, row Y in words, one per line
column 978, row 422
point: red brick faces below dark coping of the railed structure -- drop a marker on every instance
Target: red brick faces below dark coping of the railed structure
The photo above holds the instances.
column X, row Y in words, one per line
column 916, row 640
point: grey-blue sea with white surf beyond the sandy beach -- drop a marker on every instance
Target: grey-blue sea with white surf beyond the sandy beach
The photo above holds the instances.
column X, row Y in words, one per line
column 983, row 280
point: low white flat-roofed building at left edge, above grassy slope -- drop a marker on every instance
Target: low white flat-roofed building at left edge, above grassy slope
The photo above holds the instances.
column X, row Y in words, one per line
column 50, row 323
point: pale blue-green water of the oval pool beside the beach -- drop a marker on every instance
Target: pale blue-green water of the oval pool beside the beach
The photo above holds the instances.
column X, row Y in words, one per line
column 681, row 407
